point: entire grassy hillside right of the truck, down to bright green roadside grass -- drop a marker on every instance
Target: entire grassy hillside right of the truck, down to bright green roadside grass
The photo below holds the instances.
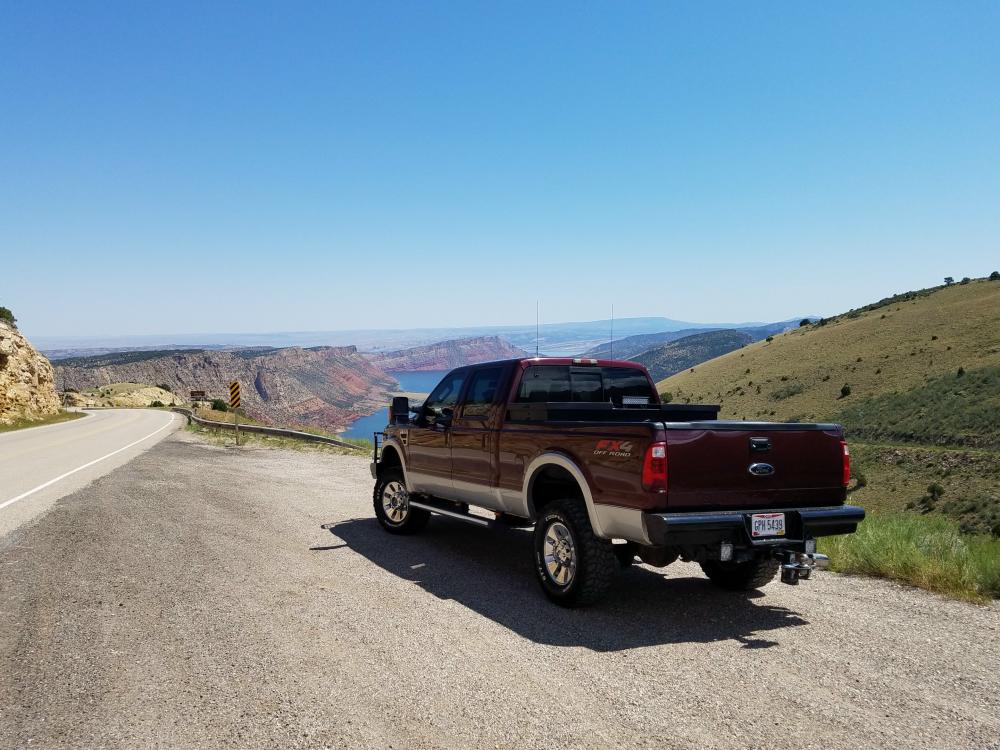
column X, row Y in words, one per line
column 915, row 380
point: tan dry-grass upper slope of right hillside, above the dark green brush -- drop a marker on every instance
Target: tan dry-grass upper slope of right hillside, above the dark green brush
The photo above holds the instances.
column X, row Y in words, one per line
column 895, row 347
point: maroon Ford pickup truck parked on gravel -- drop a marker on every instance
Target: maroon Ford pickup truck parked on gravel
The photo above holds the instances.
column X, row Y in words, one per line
column 583, row 450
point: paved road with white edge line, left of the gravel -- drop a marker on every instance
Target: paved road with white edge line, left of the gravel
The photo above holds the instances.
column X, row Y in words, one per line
column 39, row 465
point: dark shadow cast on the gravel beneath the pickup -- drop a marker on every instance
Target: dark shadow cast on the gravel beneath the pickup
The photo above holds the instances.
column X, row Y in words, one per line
column 490, row 572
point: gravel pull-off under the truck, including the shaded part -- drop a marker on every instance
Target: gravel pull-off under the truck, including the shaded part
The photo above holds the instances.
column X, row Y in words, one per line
column 193, row 598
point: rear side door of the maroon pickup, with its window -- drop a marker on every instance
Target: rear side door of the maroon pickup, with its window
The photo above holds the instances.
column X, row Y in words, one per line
column 474, row 437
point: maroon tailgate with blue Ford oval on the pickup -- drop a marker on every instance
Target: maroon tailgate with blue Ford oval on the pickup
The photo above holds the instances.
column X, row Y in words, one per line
column 745, row 465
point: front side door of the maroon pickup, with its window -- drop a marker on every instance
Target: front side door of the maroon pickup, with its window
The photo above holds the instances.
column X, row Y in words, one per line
column 428, row 449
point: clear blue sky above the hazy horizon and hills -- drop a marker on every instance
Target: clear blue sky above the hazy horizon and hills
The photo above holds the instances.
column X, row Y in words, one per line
column 175, row 168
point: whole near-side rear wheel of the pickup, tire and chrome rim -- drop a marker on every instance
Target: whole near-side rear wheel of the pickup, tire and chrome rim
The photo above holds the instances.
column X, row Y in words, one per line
column 574, row 567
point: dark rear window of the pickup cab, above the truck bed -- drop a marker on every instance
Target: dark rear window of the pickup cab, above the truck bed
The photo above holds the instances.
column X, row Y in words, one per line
column 563, row 384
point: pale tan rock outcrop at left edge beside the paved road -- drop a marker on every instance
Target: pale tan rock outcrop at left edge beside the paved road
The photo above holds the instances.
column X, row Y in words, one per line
column 27, row 385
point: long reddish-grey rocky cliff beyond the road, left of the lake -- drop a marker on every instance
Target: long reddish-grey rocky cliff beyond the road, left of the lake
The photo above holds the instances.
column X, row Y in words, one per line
column 323, row 386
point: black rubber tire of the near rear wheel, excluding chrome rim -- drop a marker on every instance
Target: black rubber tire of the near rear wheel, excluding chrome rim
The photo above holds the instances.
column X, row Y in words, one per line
column 596, row 564
